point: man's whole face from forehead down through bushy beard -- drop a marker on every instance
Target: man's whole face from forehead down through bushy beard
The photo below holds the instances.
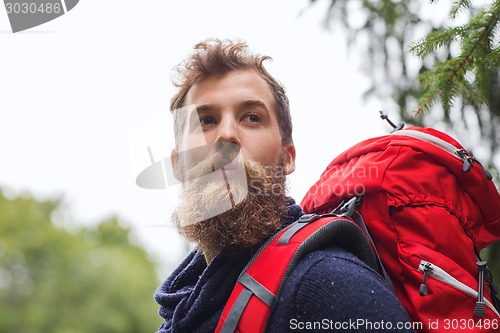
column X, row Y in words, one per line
column 232, row 164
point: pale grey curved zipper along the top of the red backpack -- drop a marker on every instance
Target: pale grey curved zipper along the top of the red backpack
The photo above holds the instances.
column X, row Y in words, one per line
column 463, row 155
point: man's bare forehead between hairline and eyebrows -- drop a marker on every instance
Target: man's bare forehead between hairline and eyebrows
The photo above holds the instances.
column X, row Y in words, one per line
column 231, row 87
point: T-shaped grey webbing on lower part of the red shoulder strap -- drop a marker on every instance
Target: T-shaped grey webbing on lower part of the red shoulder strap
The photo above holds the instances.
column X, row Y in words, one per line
column 252, row 287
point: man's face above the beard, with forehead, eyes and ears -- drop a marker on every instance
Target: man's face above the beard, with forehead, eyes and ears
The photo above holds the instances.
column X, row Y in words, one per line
column 239, row 108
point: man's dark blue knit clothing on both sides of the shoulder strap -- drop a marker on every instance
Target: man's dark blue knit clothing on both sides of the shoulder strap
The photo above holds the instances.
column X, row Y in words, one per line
column 329, row 290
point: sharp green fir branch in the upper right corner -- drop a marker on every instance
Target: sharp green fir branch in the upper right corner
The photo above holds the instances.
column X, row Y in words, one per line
column 448, row 79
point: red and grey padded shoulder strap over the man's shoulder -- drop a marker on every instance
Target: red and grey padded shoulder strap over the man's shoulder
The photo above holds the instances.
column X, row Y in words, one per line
column 255, row 293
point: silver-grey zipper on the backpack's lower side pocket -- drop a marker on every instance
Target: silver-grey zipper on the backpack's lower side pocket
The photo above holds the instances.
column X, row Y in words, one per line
column 436, row 272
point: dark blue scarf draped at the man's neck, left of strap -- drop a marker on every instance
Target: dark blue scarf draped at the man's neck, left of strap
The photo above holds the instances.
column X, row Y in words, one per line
column 193, row 297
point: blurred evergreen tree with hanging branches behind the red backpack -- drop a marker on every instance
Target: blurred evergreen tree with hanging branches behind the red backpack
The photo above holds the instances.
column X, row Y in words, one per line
column 417, row 52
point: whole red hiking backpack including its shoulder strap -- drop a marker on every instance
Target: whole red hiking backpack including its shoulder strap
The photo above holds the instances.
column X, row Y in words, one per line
column 426, row 207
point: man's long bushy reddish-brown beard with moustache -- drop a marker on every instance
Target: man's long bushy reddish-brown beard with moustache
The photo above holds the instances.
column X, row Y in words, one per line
column 222, row 214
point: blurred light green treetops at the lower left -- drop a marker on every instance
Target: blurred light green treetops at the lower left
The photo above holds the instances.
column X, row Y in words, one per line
column 54, row 280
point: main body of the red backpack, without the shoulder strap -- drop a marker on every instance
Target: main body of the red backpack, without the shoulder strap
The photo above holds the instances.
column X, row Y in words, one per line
column 430, row 207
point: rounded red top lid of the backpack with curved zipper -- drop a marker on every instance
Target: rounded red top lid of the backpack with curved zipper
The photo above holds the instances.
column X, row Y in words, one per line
column 413, row 166
